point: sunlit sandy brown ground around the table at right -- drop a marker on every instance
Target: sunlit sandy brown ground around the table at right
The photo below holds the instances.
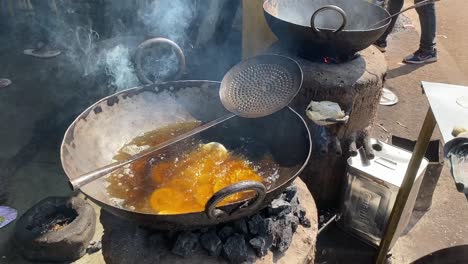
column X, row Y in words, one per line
column 442, row 226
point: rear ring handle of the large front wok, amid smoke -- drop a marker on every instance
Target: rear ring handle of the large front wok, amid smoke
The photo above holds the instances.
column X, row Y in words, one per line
column 152, row 42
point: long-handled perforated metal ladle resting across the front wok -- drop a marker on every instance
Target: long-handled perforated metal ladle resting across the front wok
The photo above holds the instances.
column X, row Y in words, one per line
column 256, row 87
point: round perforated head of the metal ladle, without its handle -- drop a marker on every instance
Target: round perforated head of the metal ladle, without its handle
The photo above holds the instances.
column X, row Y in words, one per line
column 261, row 85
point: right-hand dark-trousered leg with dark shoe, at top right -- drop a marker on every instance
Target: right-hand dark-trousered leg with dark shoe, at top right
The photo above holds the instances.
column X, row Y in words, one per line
column 426, row 52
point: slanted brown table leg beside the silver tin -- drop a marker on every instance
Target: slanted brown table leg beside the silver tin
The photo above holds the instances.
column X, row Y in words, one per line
column 405, row 189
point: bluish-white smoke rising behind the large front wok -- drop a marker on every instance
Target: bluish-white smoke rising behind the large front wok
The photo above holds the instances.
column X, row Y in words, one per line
column 71, row 27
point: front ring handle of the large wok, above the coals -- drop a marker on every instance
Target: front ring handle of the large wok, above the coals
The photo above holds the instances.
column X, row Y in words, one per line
column 215, row 213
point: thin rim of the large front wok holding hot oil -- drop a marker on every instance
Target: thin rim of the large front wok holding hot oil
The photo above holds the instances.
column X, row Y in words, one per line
column 89, row 109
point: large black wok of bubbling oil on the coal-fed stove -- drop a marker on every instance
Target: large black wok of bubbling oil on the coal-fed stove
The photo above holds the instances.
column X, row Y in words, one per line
column 99, row 132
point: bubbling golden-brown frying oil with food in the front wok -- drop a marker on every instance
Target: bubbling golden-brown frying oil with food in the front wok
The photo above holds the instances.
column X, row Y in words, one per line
column 184, row 177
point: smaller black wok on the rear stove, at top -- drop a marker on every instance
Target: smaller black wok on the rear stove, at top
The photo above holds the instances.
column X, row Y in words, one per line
column 318, row 28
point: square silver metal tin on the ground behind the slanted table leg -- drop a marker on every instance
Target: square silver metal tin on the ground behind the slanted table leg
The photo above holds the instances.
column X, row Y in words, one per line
column 371, row 189
